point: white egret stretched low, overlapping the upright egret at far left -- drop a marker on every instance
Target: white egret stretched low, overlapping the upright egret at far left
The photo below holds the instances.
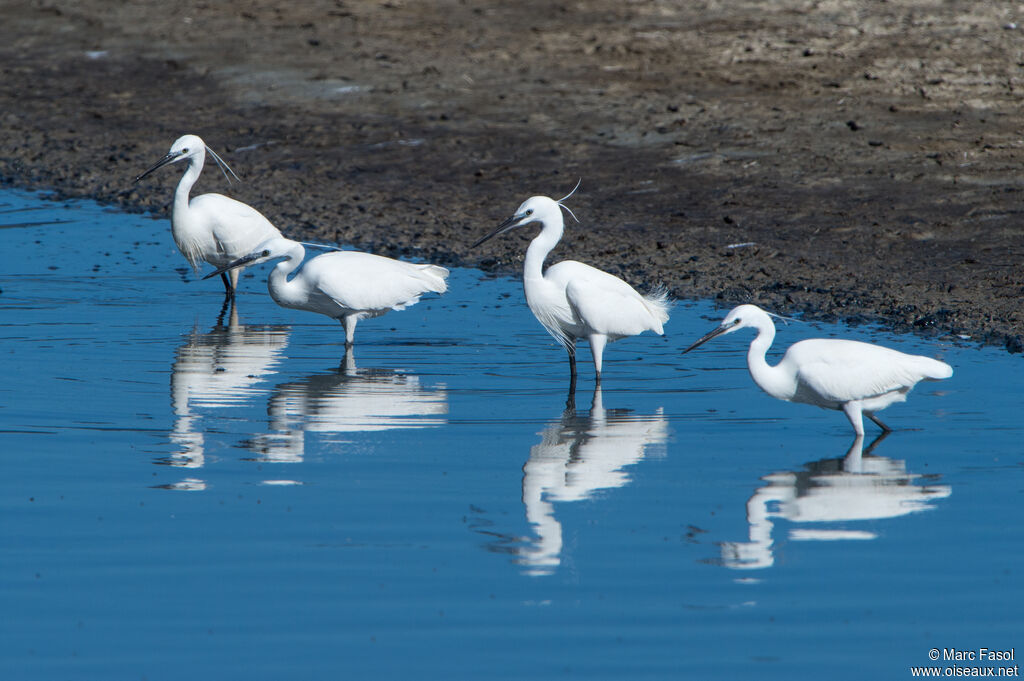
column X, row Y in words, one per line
column 348, row 286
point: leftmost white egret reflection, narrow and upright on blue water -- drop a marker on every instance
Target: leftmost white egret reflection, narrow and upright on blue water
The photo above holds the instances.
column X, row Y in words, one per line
column 216, row 370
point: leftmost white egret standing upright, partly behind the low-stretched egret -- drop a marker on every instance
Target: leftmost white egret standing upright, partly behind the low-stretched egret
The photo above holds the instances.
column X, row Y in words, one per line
column 211, row 228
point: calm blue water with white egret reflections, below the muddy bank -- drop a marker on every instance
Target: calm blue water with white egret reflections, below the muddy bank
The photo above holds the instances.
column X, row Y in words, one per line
column 195, row 493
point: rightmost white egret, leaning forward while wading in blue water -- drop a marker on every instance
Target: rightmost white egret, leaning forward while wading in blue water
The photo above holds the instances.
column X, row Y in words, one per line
column 849, row 376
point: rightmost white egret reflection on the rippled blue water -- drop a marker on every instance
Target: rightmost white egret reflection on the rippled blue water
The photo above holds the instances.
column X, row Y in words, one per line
column 859, row 487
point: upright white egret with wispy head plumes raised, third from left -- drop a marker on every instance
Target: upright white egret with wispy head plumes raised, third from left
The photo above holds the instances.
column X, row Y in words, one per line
column 573, row 301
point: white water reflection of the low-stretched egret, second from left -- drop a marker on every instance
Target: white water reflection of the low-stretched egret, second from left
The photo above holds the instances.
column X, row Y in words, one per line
column 346, row 401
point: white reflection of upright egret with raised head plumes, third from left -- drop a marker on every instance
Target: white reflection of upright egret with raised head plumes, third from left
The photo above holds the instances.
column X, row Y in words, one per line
column 578, row 457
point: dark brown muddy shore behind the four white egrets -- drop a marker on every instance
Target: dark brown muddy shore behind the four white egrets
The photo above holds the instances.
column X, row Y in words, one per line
column 838, row 159
